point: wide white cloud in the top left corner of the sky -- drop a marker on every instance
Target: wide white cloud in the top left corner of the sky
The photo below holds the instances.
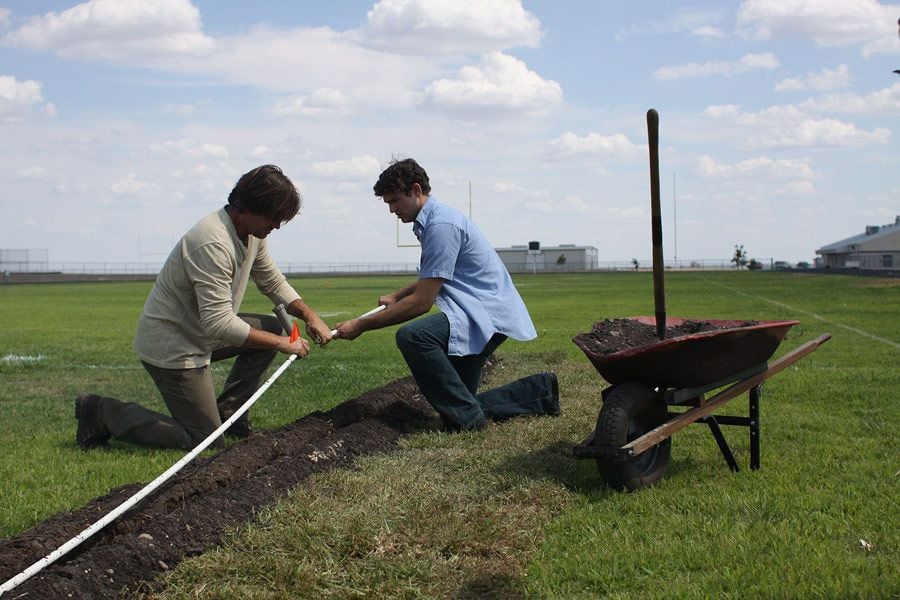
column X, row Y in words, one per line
column 117, row 30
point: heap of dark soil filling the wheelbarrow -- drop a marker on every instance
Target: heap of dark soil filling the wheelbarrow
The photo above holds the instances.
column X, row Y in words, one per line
column 613, row 335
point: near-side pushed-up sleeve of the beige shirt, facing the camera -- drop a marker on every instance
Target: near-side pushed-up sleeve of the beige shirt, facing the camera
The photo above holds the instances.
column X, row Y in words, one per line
column 212, row 272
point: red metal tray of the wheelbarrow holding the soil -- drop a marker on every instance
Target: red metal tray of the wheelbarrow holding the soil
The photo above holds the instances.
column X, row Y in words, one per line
column 693, row 360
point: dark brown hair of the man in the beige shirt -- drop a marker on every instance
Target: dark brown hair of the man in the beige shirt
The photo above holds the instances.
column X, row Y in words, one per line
column 267, row 191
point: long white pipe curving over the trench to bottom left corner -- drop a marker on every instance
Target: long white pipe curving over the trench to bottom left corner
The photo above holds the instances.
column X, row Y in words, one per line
column 143, row 493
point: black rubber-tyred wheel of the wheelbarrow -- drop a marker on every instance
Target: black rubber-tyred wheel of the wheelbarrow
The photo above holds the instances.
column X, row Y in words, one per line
column 629, row 411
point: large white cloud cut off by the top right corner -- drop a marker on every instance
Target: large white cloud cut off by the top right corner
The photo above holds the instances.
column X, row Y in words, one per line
column 828, row 22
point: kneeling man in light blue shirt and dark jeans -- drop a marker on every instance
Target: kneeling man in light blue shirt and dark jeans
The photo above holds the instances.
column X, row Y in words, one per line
column 480, row 308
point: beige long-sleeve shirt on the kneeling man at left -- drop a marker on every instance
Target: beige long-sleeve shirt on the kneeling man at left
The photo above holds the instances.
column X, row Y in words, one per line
column 192, row 308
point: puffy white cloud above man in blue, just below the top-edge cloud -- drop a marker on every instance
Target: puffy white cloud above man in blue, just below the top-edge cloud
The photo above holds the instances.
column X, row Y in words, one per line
column 499, row 83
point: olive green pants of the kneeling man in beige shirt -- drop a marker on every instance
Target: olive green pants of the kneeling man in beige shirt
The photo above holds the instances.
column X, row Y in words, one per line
column 189, row 395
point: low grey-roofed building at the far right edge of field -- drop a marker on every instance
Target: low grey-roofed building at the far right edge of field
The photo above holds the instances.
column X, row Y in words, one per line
column 876, row 249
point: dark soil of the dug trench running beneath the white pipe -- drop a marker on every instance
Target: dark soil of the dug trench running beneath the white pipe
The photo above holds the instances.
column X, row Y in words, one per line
column 189, row 514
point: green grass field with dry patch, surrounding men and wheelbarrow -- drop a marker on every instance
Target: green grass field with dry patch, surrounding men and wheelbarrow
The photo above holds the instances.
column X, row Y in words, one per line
column 507, row 512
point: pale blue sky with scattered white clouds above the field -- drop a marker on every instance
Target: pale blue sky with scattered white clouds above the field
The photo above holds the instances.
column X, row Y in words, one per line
column 124, row 122
